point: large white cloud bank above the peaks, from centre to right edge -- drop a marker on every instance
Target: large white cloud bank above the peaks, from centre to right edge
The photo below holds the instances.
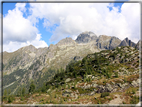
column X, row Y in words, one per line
column 70, row 19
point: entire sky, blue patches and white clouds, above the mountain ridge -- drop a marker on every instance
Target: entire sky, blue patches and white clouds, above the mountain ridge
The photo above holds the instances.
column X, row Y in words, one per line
column 58, row 21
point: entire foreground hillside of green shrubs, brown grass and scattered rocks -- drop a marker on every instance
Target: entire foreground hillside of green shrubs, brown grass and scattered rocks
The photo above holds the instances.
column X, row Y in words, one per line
column 98, row 78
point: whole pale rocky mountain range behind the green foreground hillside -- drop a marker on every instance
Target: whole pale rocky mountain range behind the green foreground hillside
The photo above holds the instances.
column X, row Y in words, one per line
column 40, row 65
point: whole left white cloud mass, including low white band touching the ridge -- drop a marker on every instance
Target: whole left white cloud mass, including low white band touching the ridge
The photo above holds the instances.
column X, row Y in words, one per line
column 19, row 31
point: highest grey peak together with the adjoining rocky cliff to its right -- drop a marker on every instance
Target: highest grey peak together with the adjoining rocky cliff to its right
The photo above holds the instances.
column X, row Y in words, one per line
column 102, row 42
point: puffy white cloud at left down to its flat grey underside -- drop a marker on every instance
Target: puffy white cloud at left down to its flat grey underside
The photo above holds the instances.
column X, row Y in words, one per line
column 16, row 27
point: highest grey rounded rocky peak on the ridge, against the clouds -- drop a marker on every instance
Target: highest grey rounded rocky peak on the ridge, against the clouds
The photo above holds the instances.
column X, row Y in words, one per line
column 86, row 37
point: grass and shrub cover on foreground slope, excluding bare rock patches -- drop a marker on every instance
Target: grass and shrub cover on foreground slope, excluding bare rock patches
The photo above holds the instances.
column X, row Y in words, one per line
column 98, row 65
